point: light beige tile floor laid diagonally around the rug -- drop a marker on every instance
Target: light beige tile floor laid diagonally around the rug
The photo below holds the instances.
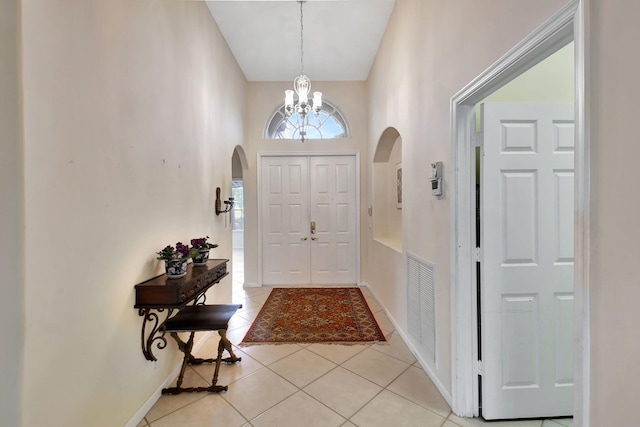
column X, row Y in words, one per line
column 313, row 385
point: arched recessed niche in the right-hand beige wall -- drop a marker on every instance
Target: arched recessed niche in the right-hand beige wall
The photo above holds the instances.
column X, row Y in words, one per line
column 387, row 208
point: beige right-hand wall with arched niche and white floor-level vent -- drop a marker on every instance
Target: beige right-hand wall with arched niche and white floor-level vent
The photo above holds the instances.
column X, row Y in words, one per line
column 430, row 51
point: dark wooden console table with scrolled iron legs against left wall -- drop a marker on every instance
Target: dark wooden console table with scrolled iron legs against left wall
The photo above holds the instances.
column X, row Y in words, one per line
column 158, row 298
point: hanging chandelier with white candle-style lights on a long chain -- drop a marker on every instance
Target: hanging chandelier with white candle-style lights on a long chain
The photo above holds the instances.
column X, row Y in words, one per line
column 302, row 86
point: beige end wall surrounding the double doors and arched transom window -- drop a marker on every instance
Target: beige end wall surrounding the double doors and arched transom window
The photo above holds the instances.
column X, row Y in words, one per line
column 263, row 100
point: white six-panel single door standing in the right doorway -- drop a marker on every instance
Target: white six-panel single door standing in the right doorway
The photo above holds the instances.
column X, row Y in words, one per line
column 527, row 260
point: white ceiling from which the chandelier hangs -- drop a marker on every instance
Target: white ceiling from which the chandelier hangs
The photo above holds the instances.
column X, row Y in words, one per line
column 341, row 37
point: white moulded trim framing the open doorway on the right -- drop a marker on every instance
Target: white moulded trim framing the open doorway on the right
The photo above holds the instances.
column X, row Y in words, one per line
column 570, row 23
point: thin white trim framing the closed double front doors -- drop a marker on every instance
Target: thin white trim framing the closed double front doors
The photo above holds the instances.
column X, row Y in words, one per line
column 260, row 155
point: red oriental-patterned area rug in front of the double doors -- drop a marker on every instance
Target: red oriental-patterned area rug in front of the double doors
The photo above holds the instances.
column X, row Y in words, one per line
column 314, row 315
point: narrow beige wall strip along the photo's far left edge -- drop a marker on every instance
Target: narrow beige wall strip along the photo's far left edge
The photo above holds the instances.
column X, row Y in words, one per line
column 12, row 214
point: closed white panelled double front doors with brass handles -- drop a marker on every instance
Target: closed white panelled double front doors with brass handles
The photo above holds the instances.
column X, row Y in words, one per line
column 308, row 207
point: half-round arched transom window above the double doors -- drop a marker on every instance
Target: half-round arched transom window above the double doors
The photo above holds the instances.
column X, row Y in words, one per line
column 327, row 125
